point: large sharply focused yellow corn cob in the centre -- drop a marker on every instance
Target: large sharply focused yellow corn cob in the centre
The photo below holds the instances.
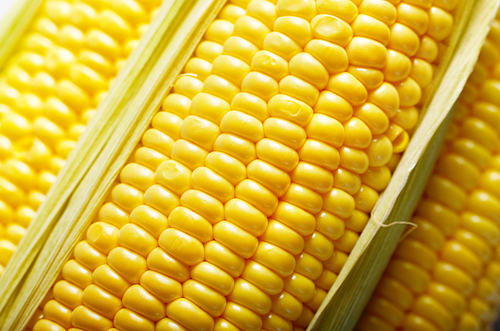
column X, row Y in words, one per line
column 238, row 179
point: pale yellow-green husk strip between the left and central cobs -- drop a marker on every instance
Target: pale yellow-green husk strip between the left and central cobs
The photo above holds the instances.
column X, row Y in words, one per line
column 110, row 139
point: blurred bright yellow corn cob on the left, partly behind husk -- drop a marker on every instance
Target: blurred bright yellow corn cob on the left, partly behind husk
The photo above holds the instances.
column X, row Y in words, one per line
column 49, row 91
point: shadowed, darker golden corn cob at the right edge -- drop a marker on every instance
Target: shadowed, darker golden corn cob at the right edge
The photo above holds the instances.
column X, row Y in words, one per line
column 445, row 274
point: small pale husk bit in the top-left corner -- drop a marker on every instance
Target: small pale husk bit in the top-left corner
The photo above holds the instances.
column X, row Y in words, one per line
column 13, row 26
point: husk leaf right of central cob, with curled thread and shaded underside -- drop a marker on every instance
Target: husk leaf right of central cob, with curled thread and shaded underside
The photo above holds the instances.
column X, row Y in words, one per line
column 351, row 291
